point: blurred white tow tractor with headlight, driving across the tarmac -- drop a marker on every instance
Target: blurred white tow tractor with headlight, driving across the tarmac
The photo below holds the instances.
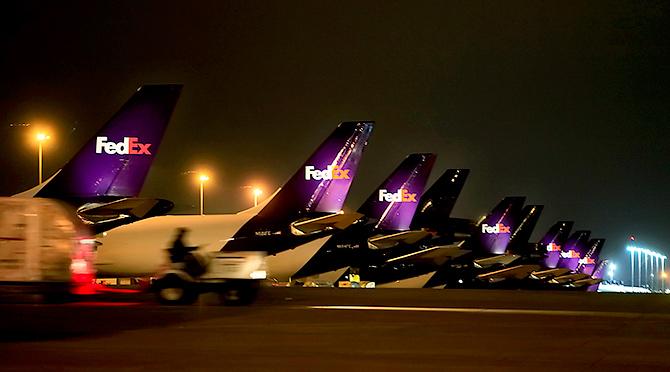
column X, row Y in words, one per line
column 235, row 276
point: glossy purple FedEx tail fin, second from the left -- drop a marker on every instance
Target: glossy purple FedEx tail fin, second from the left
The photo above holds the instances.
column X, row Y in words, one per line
column 322, row 183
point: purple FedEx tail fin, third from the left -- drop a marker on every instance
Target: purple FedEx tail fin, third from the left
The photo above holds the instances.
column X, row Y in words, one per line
column 393, row 204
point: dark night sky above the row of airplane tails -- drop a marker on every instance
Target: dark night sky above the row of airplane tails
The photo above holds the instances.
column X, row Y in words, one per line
column 566, row 103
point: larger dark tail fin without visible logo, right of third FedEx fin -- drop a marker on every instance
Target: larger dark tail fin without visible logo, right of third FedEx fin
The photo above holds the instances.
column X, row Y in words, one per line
column 436, row 204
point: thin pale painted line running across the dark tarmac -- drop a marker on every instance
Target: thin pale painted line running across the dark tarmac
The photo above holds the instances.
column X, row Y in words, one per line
column 465, row 310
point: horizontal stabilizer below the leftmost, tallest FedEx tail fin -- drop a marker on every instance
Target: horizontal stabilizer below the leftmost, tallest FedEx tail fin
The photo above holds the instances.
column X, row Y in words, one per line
column 136, row 208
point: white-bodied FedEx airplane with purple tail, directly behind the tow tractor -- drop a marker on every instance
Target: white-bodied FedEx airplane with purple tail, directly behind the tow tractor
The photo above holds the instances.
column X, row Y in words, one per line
column 290, row 226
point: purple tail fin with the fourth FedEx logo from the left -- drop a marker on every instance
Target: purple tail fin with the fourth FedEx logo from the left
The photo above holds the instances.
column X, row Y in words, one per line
column 496, row 229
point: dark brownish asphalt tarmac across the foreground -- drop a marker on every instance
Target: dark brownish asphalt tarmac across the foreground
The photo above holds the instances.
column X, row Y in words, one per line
column 317, row 329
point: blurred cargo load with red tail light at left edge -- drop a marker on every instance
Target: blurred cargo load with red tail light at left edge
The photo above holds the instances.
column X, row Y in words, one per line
column 44, row 249
